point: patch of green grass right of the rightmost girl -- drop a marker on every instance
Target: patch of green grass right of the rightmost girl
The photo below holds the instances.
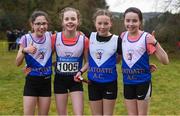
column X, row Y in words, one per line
column 166, row 92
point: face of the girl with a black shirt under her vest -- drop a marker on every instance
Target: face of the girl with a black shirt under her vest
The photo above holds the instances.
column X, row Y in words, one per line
column 103, row 24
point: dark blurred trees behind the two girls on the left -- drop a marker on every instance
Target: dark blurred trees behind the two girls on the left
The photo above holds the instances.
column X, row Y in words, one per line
column 15, row 13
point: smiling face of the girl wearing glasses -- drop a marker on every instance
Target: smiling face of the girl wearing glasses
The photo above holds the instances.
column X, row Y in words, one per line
column 39, row 25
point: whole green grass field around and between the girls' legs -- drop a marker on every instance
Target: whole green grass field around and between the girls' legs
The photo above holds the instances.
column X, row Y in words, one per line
column 165, row 96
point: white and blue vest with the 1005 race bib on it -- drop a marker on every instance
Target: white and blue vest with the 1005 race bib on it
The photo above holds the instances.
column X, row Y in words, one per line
column 69, row 58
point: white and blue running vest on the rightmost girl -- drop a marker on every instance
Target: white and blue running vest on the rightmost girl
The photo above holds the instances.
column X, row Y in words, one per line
column 135, row 61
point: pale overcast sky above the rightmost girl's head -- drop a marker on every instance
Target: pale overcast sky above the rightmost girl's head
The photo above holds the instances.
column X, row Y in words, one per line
column 143, row 5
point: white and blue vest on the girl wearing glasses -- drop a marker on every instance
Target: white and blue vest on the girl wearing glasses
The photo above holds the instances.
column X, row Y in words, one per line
column 41, row 61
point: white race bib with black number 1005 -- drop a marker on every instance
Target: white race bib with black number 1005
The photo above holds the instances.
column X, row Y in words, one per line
column 67, row 66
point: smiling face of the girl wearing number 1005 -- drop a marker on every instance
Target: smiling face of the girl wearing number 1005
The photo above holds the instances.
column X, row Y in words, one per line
column 70, row 21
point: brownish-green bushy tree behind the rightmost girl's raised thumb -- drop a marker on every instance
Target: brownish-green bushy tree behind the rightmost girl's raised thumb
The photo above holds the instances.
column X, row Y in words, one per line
column 166, row 26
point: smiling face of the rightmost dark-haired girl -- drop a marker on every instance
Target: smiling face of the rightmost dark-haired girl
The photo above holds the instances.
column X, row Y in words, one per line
column 132, row 22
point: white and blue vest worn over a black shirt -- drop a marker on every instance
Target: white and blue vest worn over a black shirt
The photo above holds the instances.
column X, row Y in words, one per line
column 102, row 59
